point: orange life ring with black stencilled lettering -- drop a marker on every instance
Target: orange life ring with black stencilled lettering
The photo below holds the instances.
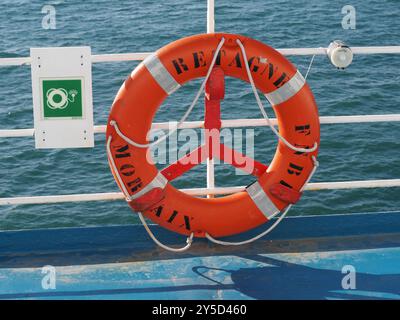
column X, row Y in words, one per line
column 165, row 71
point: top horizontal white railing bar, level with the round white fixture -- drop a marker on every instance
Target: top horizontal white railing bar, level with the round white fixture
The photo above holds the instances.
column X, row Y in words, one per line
column 138, row 56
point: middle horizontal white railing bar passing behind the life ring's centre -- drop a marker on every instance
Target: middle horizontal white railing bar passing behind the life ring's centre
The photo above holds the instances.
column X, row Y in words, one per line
column 234, row 123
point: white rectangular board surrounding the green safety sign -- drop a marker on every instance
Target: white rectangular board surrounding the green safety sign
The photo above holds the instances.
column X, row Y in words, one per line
column 62, row 63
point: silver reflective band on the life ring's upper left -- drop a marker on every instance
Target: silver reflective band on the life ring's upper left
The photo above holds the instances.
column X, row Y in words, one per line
column 161, row 74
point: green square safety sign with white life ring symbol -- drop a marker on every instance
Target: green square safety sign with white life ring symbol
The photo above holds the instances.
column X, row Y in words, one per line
column 62, row 98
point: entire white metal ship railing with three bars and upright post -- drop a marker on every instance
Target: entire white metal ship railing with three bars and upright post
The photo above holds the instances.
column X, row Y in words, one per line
column 211, row 189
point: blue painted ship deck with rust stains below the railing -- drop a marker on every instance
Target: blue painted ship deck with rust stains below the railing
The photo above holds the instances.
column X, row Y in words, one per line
column 301, row 259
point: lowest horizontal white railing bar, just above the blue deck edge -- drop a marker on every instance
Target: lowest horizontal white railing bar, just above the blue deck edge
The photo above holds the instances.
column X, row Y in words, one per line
column 110, row 196
